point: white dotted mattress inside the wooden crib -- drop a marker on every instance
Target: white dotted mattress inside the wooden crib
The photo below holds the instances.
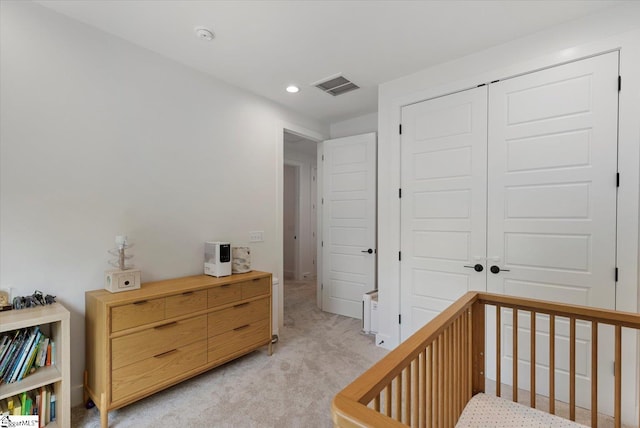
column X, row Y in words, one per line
column 488, row 411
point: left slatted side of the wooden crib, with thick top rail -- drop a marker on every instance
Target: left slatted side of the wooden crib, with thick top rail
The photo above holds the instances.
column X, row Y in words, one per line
column 410, row 386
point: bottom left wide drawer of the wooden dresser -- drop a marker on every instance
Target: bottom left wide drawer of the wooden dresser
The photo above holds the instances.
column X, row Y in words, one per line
column 150, row 372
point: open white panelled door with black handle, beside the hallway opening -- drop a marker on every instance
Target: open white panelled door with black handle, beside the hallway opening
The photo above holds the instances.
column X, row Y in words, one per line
column 349, row 223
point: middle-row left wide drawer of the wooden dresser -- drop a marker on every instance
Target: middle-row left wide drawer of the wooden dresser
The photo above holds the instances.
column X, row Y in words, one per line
column 144, row 344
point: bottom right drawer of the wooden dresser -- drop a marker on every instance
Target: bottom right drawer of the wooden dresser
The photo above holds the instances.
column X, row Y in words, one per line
column 243, row 337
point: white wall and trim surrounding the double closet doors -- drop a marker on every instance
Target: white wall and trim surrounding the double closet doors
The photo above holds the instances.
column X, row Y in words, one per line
column 614, row 29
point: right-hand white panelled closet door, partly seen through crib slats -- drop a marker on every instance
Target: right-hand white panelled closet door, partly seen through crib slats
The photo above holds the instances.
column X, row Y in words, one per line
column 552, row 201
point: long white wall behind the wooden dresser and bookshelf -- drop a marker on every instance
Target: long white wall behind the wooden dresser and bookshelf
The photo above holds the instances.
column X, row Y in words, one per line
column 100, row 137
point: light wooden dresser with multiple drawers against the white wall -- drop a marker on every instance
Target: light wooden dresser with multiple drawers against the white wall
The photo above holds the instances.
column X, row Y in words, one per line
column 142, row 341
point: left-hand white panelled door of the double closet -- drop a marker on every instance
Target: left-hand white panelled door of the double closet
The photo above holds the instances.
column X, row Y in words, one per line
column 443, row 203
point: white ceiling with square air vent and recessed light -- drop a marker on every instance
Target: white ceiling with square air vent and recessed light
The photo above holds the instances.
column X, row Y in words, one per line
column 263, row 46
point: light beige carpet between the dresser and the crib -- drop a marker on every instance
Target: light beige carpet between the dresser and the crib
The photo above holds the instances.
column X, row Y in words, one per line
column 317, row 355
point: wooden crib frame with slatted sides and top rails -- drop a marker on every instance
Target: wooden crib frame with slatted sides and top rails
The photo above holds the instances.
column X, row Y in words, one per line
column 429, row 378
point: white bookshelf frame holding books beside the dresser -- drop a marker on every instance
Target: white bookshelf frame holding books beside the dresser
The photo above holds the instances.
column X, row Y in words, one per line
column 54, row 319
